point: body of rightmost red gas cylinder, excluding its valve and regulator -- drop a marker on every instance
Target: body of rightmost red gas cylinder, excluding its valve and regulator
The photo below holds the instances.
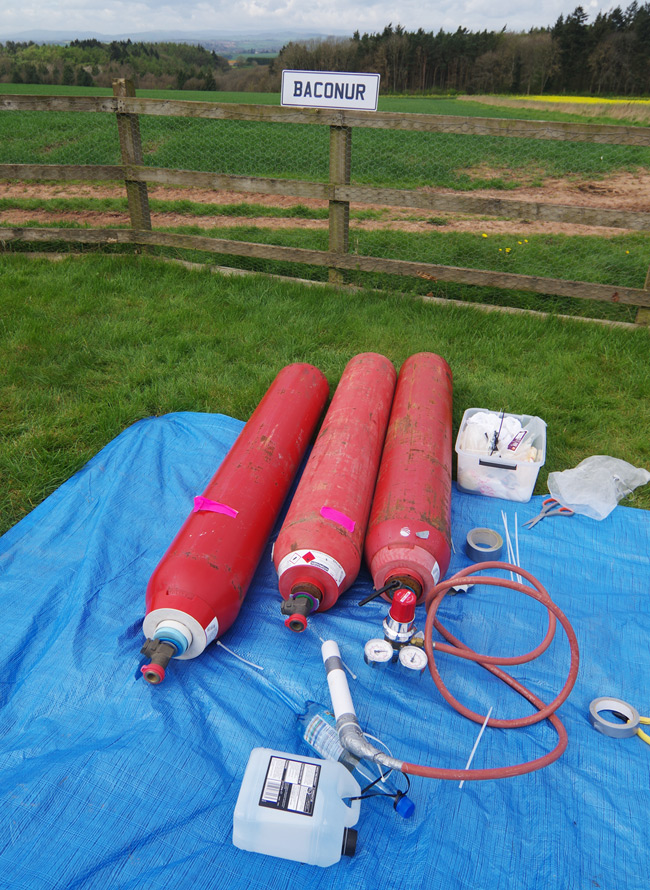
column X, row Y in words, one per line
column 409, row 536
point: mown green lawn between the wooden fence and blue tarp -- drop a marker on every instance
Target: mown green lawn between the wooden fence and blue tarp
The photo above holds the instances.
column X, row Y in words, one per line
column 89, row 345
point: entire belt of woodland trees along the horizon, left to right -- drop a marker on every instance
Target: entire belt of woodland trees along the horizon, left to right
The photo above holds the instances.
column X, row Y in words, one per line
column 609, row 55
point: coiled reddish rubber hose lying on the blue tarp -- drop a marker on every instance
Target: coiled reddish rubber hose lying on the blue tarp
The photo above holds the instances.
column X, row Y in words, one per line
column 490, row 663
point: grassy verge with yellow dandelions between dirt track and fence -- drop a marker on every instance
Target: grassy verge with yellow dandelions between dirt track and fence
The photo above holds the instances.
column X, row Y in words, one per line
column 621, row 260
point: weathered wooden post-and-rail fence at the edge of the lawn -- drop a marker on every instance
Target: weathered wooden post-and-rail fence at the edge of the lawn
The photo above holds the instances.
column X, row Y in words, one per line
column 338, row 191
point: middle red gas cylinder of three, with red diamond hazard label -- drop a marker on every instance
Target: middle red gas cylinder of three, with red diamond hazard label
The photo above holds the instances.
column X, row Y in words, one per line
column 318, row 551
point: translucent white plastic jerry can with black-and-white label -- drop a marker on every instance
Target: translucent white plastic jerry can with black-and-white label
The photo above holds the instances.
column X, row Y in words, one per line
column 293, row 807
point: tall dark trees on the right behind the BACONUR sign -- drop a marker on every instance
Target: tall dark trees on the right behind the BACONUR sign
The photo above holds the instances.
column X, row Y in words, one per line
column 610, row 55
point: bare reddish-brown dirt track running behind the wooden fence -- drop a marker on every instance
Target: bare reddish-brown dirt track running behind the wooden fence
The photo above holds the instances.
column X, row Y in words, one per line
column 625, row 191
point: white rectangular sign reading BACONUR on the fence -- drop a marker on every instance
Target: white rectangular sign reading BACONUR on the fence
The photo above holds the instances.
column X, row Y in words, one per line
column 330, row 89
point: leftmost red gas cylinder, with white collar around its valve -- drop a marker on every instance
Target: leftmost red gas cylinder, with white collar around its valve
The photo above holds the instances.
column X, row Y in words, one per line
column 197, row 589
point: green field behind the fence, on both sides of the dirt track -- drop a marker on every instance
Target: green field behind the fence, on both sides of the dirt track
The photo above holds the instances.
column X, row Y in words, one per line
column 379, row 157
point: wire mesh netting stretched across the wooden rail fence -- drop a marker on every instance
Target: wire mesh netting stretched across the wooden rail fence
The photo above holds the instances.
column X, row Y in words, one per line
column 600, row 235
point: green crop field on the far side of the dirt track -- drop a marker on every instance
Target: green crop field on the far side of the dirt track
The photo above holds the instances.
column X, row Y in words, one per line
column 379, row 157
